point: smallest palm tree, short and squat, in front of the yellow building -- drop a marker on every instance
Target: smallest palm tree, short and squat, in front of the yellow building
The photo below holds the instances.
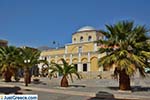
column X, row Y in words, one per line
column 64, row 69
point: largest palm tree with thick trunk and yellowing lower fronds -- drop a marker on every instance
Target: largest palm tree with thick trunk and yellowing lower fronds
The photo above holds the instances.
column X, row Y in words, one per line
column 127, row 48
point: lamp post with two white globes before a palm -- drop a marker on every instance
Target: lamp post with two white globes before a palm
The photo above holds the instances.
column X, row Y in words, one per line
column 26, row 72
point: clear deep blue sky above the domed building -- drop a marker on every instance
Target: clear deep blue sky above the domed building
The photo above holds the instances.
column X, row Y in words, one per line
column 40, row 22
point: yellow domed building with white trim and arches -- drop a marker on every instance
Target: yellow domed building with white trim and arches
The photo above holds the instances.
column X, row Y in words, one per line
column 82, row 51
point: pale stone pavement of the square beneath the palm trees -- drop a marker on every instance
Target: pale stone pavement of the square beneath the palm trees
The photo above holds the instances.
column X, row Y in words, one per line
column 83, row 89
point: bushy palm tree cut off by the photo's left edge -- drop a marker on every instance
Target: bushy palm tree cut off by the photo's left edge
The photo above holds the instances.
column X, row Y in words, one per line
column 8, row 61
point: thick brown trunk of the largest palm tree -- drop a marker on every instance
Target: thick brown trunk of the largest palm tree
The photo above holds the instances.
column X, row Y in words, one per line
column 124, row 81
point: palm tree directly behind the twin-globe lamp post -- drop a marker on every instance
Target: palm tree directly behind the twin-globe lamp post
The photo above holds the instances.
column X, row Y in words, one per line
column 27, row 59
